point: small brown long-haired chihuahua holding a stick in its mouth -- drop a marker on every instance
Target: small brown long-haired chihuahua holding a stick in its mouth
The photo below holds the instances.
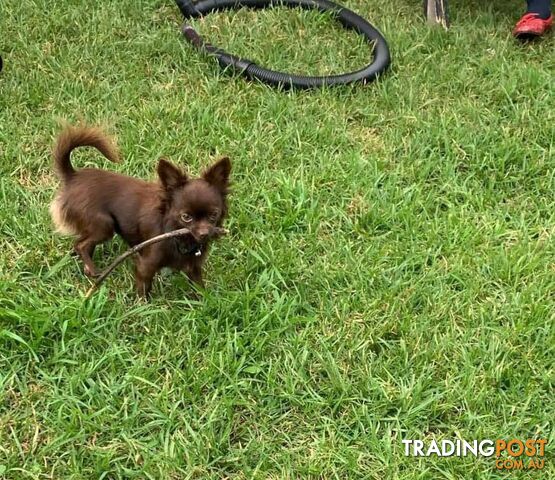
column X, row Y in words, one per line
column 94, row 204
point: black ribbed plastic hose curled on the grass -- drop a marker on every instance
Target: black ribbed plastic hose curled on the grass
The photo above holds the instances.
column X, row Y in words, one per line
column 248, row 68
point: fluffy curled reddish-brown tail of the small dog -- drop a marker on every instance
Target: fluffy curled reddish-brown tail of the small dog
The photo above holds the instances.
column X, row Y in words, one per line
column 80, row 136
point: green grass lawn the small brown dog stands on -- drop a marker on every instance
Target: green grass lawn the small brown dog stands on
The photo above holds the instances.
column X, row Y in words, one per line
column 390, row 273
